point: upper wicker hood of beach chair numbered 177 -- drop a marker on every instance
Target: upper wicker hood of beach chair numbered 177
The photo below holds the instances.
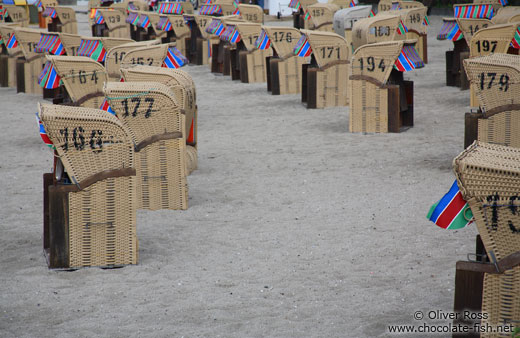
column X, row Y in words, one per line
column 148, row 109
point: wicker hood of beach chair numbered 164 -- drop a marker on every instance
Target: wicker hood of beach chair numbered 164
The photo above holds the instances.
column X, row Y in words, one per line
column 83, row 79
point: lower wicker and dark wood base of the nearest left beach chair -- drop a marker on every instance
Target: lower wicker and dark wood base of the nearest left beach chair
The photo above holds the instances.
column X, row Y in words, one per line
column 70, row 244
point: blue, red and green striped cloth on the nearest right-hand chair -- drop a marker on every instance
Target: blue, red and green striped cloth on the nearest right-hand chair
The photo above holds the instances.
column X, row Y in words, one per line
column 452, row 211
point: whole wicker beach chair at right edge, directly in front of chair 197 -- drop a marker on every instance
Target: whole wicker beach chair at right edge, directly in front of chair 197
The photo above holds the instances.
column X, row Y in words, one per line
column 496, row 81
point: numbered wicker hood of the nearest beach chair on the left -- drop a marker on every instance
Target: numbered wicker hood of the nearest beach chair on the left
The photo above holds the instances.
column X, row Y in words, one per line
column 89, row 142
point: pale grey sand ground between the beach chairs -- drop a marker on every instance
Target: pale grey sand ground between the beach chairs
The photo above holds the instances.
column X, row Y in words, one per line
column 296, row 227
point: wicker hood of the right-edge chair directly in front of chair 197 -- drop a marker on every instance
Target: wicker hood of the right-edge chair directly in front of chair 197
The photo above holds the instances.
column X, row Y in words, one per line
column 496, row 79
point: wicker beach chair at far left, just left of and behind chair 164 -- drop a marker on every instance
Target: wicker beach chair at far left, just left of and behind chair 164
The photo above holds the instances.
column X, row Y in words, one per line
column 28, row 68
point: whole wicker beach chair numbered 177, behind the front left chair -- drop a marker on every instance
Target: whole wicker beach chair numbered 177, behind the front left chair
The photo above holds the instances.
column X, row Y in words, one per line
column 152, row 115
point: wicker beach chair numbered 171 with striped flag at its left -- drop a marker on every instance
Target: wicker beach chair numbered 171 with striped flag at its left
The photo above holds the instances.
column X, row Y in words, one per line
column 325, row 79
